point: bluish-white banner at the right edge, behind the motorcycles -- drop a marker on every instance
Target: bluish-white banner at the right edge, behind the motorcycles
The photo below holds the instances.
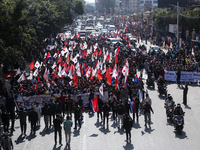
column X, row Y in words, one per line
column 185, row 76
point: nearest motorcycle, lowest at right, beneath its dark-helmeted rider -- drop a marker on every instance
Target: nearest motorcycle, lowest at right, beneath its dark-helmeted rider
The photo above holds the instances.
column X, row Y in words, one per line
column 178, row 123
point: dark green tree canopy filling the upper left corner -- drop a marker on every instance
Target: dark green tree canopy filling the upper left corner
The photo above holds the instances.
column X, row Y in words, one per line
column 24, row 24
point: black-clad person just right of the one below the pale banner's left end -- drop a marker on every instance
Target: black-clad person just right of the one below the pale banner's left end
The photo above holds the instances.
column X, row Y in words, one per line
column 33, row 119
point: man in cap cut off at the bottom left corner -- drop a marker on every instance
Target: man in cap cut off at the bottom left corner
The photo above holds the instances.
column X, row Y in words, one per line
column 6, row 143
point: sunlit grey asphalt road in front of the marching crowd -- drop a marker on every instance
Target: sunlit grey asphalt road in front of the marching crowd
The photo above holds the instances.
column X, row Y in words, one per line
column 159, row 136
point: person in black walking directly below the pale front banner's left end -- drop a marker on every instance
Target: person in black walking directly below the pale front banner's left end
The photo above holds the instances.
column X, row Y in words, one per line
column 22, row 118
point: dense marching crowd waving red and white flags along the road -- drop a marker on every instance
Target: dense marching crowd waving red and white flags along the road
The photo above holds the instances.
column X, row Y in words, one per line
column 68, row 65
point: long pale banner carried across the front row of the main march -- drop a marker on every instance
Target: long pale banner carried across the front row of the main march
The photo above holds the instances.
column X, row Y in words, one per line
column 29, row 101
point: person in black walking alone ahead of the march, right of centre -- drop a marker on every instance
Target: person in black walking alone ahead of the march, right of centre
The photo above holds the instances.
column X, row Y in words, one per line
column 127, row 125
